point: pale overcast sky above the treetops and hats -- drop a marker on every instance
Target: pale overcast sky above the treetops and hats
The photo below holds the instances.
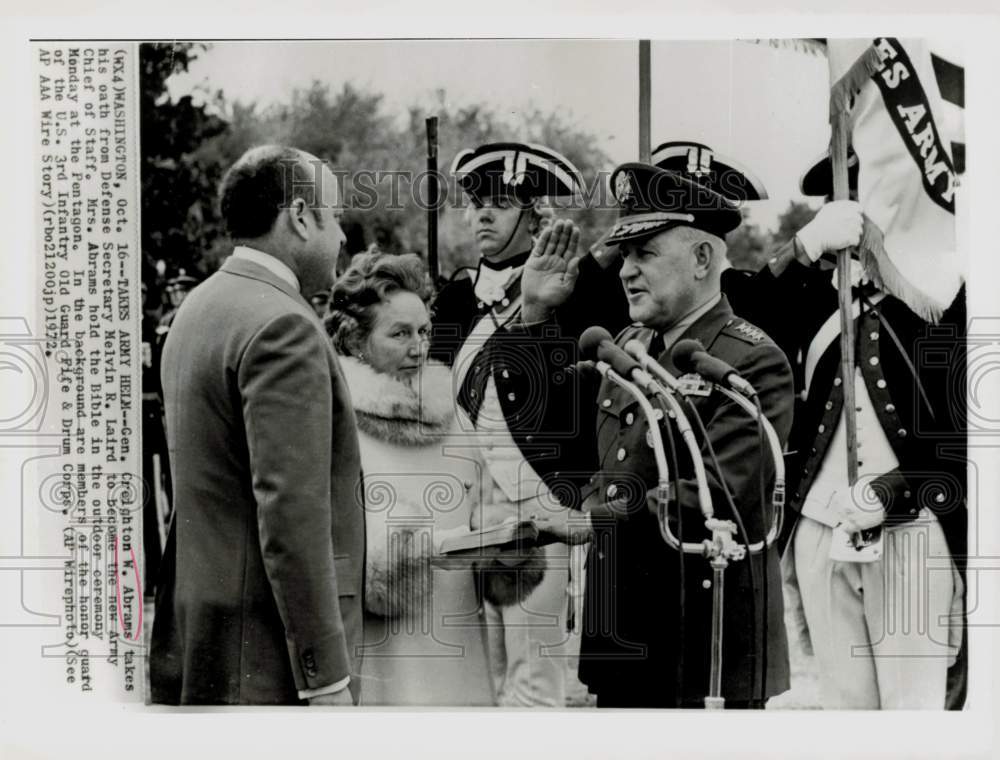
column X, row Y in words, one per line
column 762, row 106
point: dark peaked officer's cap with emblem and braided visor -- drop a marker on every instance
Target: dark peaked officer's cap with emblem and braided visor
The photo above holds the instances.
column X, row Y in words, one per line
column 652, row 200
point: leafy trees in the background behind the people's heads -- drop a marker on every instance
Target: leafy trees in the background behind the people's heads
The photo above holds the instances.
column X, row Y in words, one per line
column 187, row 147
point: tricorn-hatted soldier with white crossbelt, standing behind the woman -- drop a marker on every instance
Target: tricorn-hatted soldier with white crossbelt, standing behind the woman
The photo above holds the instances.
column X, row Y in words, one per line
column 522, row 411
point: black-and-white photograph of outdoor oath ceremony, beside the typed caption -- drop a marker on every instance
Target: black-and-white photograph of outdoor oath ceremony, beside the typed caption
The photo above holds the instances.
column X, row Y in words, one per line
column 454, row 397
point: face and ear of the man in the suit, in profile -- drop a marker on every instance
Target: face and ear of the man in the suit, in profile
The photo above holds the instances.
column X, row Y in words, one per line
column 324, row 237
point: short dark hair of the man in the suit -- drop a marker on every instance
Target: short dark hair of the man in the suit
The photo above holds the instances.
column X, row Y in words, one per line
column 263, row 181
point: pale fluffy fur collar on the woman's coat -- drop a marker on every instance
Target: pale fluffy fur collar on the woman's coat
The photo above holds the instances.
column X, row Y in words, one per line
column 398, row 412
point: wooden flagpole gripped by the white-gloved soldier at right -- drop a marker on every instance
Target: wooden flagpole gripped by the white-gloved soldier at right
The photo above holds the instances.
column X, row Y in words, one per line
column 838, row 157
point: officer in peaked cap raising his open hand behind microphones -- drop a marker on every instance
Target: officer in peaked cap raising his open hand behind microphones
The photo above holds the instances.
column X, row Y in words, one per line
column 648, row 609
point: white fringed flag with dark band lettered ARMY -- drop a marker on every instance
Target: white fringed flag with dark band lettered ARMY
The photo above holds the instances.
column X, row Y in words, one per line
column 907, row 183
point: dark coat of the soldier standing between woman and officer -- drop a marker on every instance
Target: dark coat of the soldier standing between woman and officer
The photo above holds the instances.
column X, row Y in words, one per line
column 539, row 397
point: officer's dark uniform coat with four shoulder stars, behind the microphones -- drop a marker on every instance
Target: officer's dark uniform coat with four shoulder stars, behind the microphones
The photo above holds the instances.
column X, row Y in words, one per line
column 634, row 650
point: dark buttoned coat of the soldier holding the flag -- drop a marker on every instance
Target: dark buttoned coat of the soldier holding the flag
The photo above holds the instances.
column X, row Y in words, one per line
column 915, row 375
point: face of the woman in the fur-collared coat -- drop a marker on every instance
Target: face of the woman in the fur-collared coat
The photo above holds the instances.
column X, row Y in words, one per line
column 398, row 342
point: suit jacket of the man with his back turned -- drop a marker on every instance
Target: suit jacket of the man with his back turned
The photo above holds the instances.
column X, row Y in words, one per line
column 261, row 595
